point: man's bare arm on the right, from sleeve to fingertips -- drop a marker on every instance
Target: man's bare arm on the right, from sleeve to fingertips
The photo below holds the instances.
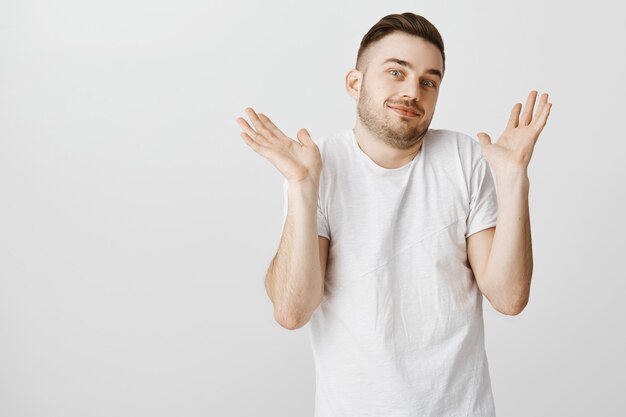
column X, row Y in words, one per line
column 501, row 257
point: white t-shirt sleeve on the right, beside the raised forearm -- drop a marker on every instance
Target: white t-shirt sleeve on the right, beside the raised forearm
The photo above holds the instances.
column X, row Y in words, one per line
column 483, row 199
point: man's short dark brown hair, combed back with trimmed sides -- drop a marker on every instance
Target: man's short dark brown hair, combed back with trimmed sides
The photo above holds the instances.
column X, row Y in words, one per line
column 406, row 22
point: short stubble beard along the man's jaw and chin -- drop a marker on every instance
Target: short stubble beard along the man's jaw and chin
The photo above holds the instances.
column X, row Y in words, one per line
column 400, row 135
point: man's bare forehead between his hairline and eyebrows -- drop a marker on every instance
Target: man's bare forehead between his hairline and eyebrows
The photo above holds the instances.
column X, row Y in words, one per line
column 412, row 49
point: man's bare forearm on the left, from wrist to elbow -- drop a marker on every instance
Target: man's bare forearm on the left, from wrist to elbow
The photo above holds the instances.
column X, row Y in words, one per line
column 294, row 280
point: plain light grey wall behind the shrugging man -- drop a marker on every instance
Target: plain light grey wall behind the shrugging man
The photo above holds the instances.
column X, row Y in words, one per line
column 136, row 225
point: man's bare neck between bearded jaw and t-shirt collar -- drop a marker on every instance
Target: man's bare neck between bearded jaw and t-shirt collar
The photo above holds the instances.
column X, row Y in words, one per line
column 382, row 153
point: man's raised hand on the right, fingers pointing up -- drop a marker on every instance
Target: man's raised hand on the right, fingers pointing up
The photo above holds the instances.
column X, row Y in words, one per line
column 515, row 146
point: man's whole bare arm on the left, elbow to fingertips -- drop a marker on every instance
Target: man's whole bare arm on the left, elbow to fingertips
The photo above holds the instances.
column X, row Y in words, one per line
column 295, row 278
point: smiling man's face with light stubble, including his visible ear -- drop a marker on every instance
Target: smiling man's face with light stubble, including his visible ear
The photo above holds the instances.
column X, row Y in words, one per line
column 397, row 93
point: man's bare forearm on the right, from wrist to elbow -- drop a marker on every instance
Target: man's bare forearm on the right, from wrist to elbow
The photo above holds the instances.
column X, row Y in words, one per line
column 510, row 264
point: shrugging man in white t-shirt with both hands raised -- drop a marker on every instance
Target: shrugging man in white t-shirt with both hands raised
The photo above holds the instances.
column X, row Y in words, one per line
column 389, row 246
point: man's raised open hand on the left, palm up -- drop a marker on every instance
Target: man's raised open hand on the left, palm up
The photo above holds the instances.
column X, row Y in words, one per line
column 297, row 161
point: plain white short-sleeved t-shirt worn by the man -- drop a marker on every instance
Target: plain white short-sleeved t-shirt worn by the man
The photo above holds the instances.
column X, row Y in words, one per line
column 400, row 329
